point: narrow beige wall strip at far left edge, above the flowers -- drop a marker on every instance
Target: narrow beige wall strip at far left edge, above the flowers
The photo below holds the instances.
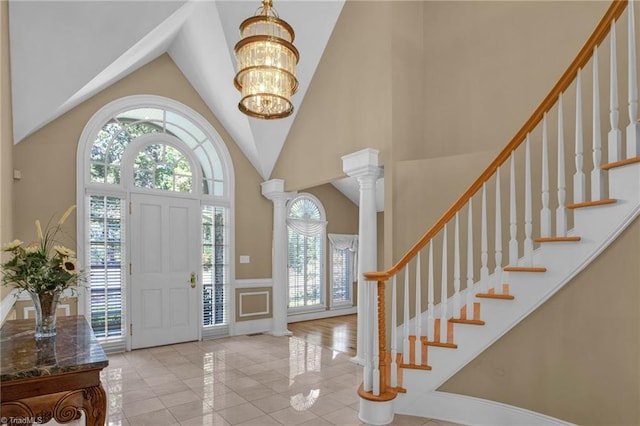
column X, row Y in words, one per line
column 6, row 136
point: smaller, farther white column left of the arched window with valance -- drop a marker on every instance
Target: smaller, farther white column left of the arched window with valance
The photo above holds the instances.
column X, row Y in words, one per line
column 274, row 190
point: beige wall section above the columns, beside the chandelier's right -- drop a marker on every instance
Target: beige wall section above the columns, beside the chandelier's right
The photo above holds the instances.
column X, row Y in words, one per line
column 348, row 104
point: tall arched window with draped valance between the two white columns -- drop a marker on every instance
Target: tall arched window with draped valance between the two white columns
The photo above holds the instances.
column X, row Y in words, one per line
column 306, row 240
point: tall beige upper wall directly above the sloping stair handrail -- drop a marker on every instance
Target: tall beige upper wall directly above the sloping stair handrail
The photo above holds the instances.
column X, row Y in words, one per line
column 488, row 65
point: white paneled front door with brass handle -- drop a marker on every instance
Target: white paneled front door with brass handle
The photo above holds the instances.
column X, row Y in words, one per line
column 165, row 240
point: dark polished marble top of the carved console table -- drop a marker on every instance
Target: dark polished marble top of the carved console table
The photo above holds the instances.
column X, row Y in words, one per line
column 74, row 348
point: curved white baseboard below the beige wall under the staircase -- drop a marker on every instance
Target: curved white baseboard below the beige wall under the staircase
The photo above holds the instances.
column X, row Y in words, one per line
column 468, row 410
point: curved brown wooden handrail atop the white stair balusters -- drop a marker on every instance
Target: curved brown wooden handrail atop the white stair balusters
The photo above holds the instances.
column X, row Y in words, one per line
column 598, row 35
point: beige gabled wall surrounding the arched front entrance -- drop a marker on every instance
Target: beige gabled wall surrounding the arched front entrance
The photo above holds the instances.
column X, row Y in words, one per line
column 47, row 161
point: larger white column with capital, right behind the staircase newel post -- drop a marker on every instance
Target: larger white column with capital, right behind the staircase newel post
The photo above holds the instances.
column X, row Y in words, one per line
column 363, row 165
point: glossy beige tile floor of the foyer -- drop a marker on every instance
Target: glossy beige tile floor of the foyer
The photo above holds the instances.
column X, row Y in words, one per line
column 247, row 380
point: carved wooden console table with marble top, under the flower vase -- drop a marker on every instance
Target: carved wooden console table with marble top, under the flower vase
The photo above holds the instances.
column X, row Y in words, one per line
column 49, row 378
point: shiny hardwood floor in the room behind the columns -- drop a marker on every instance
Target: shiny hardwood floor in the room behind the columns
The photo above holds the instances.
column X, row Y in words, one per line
column 336, row 333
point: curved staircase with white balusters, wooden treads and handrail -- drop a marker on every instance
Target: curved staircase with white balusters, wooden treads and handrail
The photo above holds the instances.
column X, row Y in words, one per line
column 447, row 318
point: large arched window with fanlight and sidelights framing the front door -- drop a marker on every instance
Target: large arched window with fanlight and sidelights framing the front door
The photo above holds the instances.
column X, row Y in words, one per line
column 150, row 145
